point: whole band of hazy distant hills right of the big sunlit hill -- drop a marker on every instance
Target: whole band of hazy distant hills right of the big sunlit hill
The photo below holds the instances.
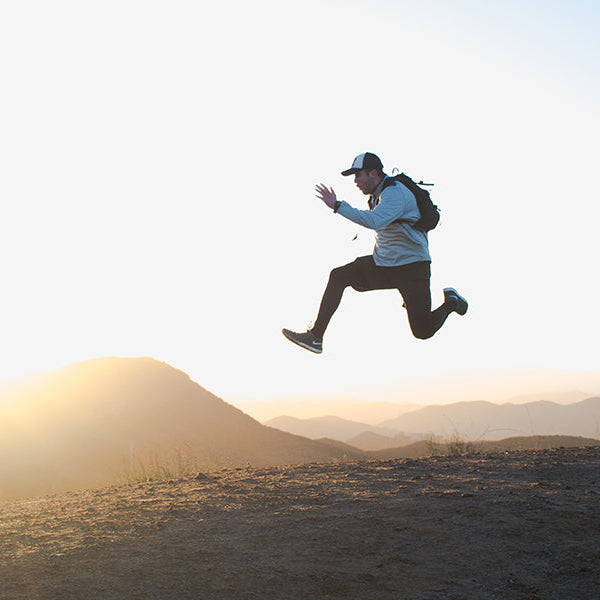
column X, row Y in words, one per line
column 470, row 420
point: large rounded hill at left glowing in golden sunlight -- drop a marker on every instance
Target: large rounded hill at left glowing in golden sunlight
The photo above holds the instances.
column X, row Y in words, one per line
column 102, row 420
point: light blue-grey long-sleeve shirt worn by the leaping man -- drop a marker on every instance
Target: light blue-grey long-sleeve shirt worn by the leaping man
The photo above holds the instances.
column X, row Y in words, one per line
column 395, row 243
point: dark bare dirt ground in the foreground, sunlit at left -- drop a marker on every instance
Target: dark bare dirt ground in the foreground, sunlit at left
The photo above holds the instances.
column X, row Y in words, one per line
column 522, row 525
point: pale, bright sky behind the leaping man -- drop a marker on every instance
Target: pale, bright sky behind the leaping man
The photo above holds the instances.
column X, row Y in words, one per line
column 158, row 169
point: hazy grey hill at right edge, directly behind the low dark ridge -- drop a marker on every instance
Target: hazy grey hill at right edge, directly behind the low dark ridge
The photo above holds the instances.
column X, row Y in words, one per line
column 484, row 420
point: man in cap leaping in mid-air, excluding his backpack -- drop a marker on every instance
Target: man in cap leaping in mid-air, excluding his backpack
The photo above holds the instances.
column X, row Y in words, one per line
column 400, row 259
